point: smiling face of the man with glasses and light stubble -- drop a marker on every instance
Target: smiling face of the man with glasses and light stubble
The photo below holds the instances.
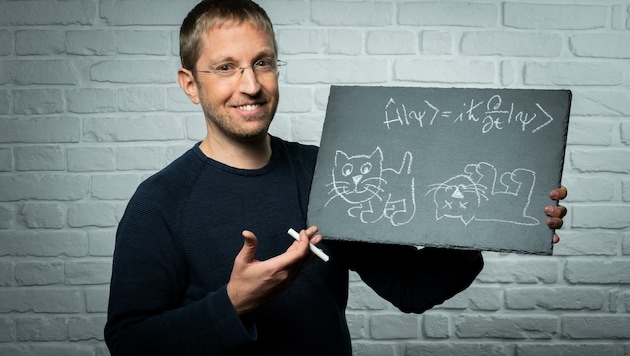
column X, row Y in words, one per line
column 240, row 106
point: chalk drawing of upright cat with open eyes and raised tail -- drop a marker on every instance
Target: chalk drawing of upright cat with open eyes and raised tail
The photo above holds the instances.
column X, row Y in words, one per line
column 362, row 182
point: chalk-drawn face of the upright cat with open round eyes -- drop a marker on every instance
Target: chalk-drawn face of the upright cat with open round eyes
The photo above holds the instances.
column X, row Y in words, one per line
column 357, row 179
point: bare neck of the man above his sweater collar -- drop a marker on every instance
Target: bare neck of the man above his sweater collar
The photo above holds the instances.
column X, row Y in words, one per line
column 244, row 154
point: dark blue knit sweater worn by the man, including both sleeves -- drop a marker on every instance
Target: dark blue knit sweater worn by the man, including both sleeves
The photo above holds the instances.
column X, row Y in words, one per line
column 176, row 245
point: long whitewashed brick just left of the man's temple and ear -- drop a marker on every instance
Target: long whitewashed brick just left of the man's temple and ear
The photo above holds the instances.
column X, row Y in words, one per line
column 145, row 71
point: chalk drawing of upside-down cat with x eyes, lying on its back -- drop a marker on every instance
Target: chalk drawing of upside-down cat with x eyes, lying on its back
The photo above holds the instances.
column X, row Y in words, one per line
column 468, row 196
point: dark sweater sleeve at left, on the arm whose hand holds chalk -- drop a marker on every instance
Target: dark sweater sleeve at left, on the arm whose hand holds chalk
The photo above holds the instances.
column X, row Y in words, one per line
column 147, row 314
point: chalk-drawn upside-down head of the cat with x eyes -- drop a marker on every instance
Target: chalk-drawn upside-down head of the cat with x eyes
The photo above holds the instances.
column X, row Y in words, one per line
column 458, row 197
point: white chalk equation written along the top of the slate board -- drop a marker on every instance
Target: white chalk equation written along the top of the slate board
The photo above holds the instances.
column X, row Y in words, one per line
column 492, row 114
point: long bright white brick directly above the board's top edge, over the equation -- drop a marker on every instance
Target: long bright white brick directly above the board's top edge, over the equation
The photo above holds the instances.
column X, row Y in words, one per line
column 445, row 71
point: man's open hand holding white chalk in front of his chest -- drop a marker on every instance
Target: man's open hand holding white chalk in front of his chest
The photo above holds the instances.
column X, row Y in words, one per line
column 253, row 283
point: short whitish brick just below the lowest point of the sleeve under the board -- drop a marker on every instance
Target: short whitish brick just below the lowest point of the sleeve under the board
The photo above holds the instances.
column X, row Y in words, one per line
column 394, row 326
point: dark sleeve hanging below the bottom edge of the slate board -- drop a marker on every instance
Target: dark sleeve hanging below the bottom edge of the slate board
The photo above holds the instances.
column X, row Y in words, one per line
column 414, row 280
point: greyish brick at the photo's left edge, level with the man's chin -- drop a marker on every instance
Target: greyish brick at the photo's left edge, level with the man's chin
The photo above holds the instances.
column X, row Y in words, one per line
column 40, row 130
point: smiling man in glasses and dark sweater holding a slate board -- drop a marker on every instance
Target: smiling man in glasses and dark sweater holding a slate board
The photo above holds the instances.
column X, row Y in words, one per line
column 203, row 264
